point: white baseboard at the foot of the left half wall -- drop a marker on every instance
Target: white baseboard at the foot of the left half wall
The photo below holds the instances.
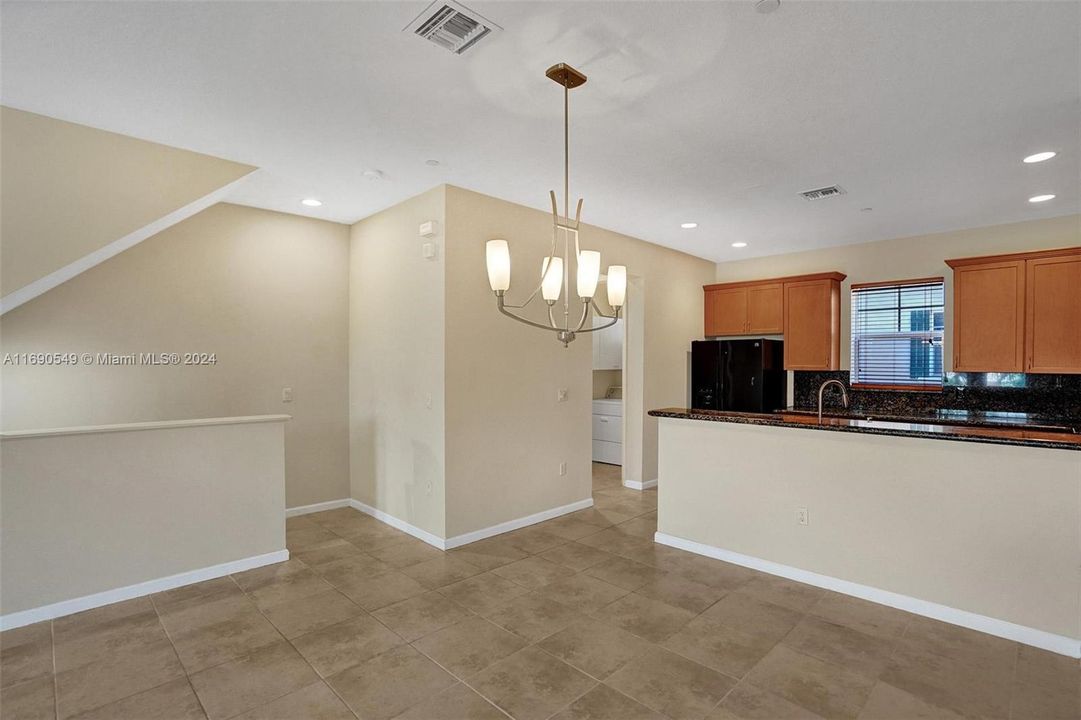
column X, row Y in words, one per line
column 90, row 602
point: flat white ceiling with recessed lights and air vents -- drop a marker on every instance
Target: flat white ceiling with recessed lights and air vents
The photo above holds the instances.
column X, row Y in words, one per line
column 704, row 112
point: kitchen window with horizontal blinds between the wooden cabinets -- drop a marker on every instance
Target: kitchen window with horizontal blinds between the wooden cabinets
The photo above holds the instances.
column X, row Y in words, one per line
column 898, row 335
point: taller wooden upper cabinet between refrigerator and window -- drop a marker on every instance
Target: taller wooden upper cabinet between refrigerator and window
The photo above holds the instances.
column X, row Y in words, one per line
column 812, row 325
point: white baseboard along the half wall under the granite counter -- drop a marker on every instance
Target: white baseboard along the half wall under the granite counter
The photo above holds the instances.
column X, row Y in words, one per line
column 1029, row 636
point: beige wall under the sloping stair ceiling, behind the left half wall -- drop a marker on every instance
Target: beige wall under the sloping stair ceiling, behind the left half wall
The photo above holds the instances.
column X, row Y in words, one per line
column 266, row 292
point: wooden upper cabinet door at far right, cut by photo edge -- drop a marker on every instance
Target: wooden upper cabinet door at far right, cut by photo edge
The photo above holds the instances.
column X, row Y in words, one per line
column 1053, row 315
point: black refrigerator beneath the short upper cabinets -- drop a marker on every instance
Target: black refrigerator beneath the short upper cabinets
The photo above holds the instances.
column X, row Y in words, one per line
column 745, row 376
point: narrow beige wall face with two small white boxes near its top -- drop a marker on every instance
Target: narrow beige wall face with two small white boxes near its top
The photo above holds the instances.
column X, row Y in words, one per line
column 396, row 364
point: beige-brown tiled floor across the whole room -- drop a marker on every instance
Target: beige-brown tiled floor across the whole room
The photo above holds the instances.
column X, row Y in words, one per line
column 578, row 618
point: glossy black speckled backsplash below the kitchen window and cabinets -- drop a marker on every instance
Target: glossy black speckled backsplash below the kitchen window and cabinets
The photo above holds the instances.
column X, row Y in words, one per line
column 1050, row 396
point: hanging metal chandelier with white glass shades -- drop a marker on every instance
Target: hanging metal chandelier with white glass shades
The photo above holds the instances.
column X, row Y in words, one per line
column 556, row 269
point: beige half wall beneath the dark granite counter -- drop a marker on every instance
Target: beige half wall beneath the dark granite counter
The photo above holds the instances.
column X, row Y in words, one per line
column 993, row 530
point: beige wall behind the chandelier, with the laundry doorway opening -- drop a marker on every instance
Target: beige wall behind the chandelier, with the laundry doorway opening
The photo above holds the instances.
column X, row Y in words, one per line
column 506, row 434
